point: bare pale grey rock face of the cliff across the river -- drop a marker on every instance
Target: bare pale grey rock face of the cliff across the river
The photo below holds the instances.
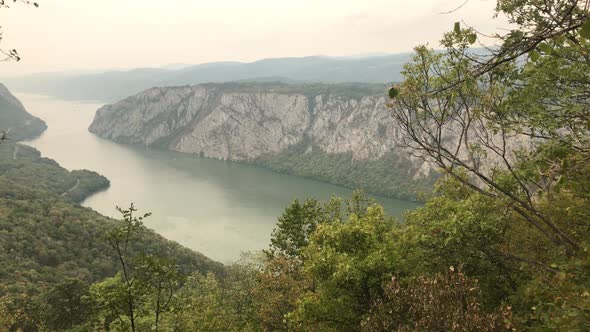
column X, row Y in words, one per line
column 240, row 124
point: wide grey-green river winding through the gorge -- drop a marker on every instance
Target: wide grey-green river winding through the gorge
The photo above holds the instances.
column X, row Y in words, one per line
column 217, row 208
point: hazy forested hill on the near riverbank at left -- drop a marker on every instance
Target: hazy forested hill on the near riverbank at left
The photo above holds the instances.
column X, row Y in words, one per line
column 46, row 238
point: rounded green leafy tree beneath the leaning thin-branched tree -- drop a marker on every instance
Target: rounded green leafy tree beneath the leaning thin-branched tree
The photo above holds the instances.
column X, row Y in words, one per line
column 460, row 226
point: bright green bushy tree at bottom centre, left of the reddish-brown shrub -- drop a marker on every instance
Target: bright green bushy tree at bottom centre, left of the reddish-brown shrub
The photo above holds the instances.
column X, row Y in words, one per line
column 347, row 263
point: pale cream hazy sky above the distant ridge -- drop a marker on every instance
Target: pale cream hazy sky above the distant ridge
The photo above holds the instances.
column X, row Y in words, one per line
column 104, row 34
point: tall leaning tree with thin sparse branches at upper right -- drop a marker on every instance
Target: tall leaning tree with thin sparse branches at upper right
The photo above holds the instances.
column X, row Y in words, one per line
column 490, row 115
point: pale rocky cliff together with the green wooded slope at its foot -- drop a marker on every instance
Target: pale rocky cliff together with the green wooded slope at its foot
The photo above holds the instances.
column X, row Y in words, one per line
column 342, row 134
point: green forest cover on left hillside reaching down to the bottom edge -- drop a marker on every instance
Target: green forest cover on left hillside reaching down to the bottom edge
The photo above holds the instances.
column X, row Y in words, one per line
column 51, row 250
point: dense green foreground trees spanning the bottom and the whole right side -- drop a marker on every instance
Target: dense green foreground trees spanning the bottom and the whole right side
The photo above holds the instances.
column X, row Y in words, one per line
column 501, row 244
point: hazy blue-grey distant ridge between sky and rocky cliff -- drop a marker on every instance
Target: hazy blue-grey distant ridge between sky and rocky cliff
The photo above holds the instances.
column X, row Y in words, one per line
column 113, row 85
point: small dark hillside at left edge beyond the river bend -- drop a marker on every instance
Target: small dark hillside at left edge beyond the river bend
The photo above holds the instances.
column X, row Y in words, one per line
column 15, row 121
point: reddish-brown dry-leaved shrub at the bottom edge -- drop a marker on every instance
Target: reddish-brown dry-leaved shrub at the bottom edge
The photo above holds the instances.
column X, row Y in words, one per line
column 448, row 302
